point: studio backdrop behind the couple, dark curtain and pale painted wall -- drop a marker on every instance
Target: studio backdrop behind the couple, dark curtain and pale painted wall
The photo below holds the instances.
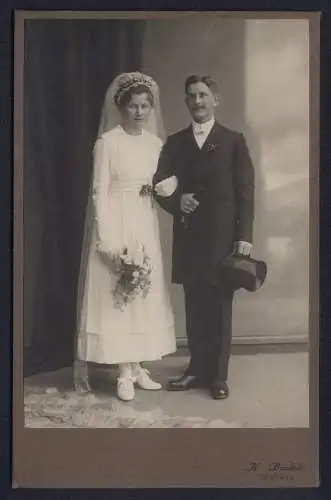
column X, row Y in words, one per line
column 262, row 69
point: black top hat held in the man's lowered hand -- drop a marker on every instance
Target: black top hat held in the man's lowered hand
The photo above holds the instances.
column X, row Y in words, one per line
column 239, row 271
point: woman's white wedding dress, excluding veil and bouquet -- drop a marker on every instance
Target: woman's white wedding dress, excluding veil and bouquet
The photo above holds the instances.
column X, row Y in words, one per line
column 144, row 329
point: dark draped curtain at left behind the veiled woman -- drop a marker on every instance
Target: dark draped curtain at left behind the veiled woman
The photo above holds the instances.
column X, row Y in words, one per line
column 68, row 67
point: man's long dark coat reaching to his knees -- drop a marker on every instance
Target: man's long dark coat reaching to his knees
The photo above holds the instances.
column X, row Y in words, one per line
column 223, row 170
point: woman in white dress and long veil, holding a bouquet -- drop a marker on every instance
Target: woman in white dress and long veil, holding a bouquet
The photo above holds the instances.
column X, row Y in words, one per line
column 124, row 314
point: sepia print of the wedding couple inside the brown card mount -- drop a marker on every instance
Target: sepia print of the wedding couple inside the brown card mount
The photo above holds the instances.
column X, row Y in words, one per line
column 165, row 172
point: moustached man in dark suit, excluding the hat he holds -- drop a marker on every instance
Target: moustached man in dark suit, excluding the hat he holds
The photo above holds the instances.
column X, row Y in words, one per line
column 213, row 209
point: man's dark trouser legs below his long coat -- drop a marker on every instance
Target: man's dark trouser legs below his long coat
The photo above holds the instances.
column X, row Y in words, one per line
column 209, row 331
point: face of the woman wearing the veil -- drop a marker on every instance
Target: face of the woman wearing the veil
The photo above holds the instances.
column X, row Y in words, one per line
column 136, row 111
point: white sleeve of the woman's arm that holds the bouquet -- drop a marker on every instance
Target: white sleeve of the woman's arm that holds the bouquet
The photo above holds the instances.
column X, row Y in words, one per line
column 101, row 181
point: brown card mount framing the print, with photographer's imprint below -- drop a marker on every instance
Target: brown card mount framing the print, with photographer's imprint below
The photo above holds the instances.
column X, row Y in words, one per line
column 160, row 458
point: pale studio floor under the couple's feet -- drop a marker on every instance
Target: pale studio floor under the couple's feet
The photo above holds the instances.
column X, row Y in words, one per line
column 266, row 390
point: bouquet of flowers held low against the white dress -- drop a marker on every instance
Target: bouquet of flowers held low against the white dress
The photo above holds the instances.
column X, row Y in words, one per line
column 134, row 275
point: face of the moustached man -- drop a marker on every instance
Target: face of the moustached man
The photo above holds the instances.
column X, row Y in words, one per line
column 201, row 102
